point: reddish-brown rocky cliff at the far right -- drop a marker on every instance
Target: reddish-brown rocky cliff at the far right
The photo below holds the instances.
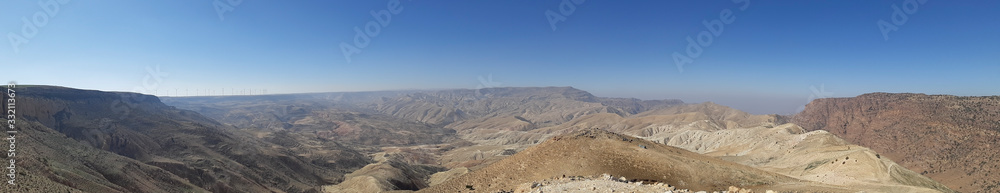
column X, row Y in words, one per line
column 950, row 139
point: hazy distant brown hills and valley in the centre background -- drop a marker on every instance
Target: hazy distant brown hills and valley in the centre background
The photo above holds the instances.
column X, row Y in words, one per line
column 504, row 117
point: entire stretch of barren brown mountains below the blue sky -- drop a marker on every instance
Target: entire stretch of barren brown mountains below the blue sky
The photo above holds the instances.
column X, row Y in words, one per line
column 494, row 140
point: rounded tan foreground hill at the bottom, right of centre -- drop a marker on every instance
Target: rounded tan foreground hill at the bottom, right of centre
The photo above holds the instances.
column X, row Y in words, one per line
column 592, row 152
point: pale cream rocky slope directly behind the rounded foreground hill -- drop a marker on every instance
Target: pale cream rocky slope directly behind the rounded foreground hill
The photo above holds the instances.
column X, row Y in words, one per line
column 758, row 142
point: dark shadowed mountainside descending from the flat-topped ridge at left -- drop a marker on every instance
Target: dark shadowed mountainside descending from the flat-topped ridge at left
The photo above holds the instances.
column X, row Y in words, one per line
column 126, row 142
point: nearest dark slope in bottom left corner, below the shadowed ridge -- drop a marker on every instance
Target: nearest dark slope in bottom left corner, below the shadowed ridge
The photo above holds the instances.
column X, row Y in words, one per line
column 49, row 161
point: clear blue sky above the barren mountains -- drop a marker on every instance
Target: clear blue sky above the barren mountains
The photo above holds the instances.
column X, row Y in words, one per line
column 764, row 61
